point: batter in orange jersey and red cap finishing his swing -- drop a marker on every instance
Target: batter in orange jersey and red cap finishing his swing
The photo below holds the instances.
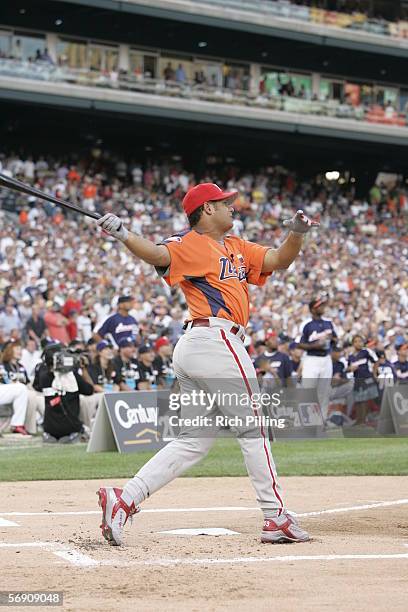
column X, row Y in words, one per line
column 214, row 271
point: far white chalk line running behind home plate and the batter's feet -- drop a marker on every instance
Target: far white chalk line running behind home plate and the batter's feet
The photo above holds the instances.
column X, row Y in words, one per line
column 383, row 504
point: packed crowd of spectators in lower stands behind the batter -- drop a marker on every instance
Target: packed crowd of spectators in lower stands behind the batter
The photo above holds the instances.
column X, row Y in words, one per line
column 63, row 281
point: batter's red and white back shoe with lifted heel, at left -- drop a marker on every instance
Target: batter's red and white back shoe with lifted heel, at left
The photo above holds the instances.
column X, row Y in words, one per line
column 115, row 514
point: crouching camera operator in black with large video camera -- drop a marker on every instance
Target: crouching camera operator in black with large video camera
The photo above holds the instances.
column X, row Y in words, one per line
column 57, row 377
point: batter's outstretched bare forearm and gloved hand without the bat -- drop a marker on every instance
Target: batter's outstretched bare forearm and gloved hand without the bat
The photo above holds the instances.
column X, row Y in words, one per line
column 281, row 258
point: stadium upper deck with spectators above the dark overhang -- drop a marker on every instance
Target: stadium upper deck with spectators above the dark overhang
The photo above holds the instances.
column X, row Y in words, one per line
column 116, row 60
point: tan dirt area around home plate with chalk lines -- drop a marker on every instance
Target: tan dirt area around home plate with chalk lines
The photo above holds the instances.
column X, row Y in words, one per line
column 358, row 558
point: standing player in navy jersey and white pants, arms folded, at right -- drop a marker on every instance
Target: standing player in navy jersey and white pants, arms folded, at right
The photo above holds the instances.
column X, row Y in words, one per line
column 317, row 368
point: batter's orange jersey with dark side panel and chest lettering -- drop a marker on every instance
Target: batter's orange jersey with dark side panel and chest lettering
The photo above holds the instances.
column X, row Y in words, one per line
column 214, row 277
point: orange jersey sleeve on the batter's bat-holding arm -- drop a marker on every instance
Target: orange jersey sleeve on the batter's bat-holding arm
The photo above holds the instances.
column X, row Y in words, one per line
column 185, row 260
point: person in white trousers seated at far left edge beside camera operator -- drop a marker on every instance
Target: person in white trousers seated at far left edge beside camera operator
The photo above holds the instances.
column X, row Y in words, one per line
column 16, row 372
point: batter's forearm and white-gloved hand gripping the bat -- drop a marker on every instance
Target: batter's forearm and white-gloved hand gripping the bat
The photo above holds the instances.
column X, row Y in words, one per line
column 156, row 255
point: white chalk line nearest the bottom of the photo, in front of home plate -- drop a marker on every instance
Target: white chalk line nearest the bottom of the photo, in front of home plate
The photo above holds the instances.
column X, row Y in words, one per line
column 78, row 559
